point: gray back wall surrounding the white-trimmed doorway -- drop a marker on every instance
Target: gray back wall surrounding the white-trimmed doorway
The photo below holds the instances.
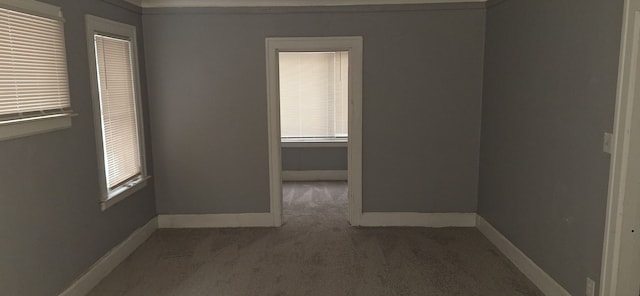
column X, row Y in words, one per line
column 421, row 118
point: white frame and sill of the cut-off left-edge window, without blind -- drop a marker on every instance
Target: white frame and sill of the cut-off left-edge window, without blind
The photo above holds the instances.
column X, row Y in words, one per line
column 10, row 129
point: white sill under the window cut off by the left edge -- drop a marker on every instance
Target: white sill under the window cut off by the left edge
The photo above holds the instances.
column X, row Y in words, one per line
column 33, row 126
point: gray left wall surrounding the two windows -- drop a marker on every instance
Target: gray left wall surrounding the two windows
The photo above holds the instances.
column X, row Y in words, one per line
column 51, row 225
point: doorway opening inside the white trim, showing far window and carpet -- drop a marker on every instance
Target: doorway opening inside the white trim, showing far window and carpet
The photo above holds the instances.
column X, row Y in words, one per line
column 314, row 134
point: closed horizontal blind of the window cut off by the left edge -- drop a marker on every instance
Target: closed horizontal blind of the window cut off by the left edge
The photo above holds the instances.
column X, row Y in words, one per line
column 33, row 66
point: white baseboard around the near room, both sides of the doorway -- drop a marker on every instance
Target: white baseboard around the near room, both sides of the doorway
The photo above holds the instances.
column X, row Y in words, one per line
column 119, row 253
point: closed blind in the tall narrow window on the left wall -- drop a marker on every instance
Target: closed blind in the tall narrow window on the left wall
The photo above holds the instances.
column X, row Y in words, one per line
column 118, row 110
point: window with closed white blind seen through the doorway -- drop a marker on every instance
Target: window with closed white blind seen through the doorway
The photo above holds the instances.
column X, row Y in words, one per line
column 313, row 95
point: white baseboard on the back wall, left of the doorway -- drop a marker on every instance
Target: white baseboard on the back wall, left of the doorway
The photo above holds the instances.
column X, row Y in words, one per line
column 216, row 220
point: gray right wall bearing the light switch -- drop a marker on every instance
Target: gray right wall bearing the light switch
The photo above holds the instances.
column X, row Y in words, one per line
column 549, row 95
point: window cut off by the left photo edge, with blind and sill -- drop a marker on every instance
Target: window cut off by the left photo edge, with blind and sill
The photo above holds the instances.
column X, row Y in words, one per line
column 34, row 87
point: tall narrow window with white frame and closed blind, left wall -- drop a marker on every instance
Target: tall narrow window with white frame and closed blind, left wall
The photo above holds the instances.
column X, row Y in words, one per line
column 116, row 95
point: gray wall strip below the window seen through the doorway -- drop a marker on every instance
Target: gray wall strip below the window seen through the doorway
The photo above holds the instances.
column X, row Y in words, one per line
column 314, row 159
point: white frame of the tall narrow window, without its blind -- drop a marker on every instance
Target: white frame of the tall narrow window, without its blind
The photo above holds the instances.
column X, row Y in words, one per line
column 97, row 25
